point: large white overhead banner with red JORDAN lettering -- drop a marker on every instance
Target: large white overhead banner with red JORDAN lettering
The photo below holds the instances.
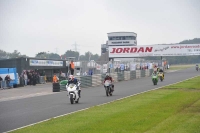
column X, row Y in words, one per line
column 154, row 50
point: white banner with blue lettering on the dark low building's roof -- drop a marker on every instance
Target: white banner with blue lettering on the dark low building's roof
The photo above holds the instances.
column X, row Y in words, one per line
column 33, row 62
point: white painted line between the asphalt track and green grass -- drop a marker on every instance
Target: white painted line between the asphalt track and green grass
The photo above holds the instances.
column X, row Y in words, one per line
column 97, row 105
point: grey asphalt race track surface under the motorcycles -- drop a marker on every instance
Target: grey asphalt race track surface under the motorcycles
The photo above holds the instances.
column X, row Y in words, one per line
column 27, row 105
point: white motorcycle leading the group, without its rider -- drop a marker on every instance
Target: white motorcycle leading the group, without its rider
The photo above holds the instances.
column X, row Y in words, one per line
column 73, row 92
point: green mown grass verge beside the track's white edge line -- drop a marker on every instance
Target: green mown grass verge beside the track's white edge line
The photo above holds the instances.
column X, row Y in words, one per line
column 172, row 109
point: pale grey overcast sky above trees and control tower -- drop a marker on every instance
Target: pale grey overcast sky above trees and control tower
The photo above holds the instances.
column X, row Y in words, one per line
column 32, row 26
